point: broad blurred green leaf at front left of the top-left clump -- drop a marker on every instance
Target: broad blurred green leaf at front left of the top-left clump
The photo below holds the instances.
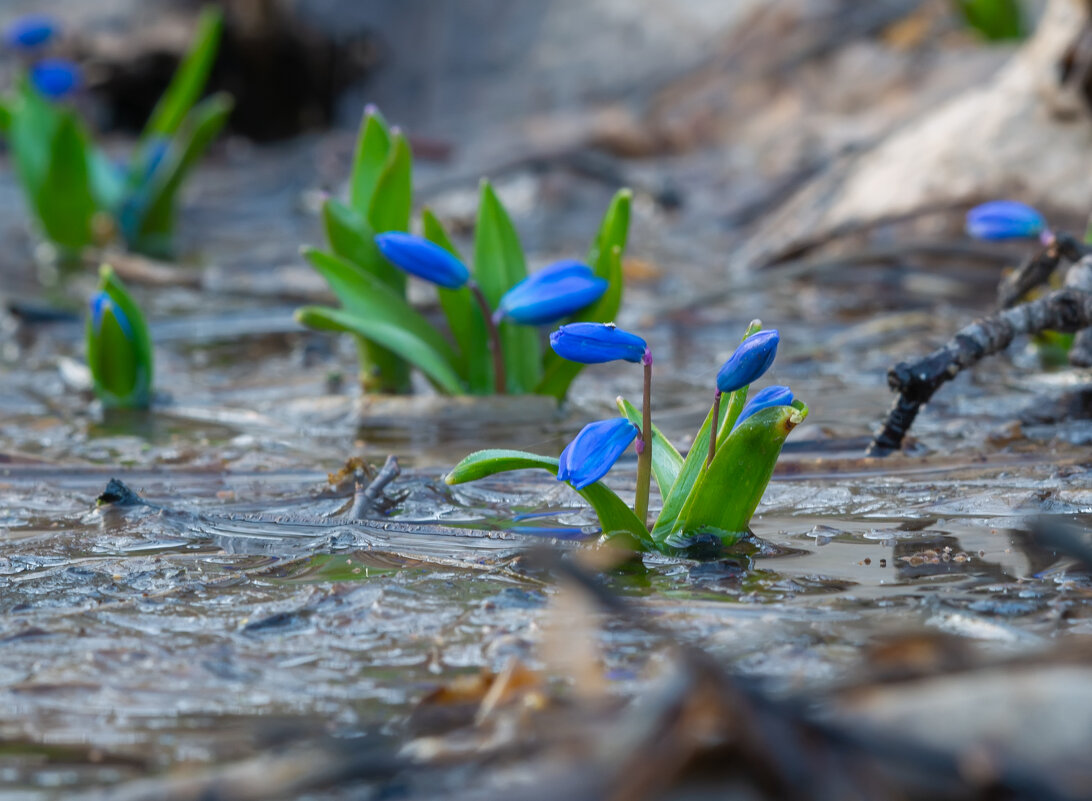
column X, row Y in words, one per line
column 64, row 200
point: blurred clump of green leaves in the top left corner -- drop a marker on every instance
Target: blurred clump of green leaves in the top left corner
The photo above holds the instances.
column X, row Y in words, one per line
column 78, row 195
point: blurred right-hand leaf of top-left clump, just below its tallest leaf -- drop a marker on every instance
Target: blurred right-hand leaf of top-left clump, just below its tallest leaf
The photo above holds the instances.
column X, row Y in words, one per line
column 156, row 207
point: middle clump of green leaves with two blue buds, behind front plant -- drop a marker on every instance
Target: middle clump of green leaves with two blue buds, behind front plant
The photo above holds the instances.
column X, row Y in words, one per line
column 492, row 307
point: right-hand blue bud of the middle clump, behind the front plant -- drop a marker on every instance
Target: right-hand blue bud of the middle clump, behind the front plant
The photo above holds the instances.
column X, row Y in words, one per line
column 552, row 294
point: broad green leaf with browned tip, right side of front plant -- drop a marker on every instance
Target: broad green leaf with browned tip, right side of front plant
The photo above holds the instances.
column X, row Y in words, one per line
column 728, row 494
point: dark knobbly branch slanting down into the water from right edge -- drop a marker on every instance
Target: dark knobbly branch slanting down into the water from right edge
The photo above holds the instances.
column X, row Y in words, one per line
column 1067, row 310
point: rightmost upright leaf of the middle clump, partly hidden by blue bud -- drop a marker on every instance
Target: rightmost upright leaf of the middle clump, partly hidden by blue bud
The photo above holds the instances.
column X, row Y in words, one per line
column 606, row 260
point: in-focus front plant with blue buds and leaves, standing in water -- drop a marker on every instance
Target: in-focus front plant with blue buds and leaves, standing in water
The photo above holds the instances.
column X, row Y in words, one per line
column 713, row 494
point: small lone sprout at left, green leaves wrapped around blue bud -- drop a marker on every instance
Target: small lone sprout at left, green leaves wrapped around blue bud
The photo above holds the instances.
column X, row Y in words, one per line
column 120, row 349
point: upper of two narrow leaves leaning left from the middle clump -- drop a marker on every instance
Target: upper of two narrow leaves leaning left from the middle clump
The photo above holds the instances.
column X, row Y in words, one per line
column 365, row 296
